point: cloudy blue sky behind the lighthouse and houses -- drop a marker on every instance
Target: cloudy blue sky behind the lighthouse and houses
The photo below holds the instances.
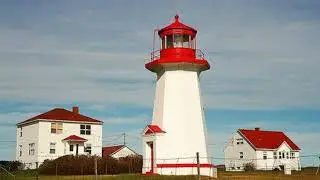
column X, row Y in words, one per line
column 264, row 56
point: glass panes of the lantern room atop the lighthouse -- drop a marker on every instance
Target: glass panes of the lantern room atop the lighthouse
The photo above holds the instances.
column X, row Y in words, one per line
column 177, row 41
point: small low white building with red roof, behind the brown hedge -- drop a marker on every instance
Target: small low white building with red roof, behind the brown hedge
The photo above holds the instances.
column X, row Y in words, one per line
column 118, row 151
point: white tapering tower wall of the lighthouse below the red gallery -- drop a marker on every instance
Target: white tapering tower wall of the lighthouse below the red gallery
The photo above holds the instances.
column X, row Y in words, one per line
column 178, row 111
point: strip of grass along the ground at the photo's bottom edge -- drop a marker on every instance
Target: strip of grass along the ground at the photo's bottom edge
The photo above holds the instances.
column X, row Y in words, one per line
column 308, row 174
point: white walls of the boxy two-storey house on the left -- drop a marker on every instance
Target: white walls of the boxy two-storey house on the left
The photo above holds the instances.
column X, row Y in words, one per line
column 41, row 133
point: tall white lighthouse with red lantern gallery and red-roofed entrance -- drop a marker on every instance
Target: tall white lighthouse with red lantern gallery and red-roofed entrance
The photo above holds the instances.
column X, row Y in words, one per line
column 178, row 131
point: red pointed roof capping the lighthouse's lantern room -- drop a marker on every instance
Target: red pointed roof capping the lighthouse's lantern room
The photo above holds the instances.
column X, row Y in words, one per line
column 177, row 27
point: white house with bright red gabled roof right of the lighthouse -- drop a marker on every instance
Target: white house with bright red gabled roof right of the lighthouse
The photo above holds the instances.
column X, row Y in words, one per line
column 267, row 150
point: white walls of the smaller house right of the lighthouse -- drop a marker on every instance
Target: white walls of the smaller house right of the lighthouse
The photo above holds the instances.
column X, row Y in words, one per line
column 232, row 152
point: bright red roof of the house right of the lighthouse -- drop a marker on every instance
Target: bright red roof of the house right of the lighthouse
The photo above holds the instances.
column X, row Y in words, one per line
column 267, row 139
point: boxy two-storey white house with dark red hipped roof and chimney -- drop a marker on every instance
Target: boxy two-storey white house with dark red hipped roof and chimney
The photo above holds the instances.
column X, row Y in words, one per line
column 56, row 133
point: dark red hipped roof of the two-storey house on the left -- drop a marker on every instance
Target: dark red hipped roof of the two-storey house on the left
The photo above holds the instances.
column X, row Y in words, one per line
column 60, row 114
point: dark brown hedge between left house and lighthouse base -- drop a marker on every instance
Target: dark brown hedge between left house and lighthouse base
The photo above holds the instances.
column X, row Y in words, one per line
column 84, row 165
